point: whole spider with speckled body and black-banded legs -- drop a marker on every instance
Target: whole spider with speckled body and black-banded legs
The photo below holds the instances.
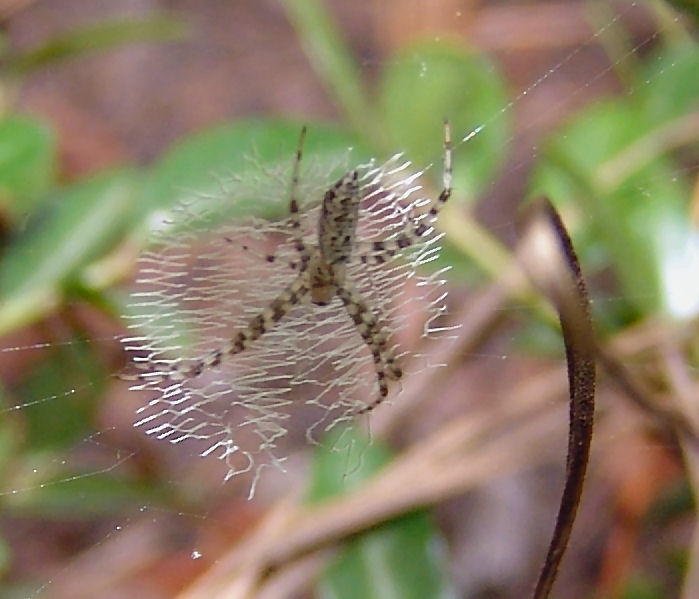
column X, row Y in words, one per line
column 321, row 272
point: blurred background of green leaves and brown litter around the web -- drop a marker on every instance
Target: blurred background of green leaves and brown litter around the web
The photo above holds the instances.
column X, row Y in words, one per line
column 109, row 119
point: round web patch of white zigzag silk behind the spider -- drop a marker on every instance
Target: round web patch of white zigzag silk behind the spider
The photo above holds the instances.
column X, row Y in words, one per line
column 206, row 276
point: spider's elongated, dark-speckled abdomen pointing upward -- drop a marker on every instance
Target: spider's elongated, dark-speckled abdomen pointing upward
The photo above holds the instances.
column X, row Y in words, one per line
column 338, row 219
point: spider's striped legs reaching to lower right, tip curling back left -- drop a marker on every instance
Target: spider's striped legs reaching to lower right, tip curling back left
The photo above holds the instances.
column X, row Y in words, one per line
column 374, row 335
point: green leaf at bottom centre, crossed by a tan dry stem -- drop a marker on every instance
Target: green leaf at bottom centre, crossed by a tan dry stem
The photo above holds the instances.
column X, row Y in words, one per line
column 402, row 558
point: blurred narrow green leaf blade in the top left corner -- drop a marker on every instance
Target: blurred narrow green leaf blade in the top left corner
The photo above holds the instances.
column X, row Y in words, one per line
column 97, row 37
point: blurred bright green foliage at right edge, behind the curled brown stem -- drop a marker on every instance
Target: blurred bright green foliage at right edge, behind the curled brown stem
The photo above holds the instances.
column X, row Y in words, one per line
column 619, row 166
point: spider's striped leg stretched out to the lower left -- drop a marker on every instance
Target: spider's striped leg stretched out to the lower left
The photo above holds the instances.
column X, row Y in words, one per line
column 256, row 327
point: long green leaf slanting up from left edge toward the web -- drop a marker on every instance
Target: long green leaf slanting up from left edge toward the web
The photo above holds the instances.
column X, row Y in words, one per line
column 81, row 224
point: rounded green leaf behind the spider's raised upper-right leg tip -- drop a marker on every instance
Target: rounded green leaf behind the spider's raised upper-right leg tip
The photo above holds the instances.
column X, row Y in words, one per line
column 430, row 82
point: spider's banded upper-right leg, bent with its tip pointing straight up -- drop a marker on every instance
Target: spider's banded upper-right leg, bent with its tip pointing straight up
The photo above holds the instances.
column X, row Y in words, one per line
column 378, row 252
